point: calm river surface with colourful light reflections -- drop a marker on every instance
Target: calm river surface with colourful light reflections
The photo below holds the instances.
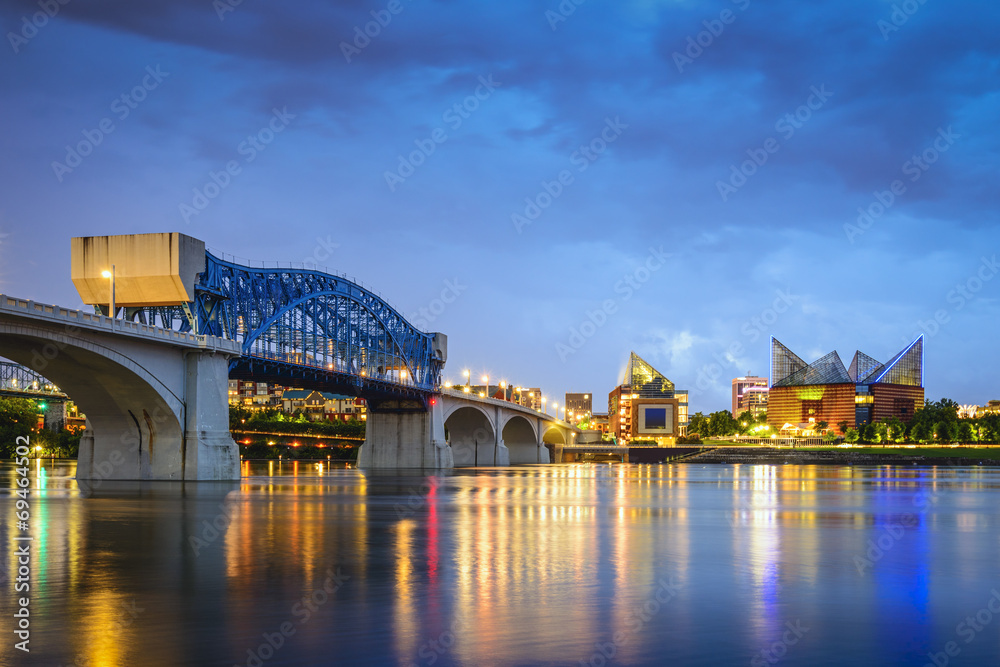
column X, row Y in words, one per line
column 300, row 564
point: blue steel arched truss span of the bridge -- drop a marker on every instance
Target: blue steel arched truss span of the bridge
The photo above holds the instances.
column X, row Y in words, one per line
column 307, row 328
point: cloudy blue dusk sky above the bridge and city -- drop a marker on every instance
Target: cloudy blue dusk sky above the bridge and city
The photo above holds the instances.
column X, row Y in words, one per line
column 555, row 184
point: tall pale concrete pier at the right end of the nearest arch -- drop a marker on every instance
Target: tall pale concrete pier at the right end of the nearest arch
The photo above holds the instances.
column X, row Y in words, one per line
column 209, row 452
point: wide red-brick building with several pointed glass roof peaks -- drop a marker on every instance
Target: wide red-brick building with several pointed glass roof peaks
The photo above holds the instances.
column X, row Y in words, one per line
column 868, row 391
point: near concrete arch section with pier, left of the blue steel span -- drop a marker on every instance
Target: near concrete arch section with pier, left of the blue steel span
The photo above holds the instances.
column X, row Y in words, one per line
column 156, row 400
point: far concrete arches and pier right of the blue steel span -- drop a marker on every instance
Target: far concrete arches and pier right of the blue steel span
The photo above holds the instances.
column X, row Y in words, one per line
column 459, row 430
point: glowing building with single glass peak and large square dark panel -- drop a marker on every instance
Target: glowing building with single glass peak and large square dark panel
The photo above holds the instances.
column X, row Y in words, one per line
column 646, row 406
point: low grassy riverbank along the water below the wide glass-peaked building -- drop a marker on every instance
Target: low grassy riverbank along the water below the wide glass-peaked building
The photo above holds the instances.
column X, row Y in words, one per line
column 928, row 456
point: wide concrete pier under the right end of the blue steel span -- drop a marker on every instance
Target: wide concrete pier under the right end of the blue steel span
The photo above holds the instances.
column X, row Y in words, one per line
column 406, row 440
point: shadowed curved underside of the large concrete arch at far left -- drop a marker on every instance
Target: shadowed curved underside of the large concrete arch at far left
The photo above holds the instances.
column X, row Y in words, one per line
column 137, row 417
